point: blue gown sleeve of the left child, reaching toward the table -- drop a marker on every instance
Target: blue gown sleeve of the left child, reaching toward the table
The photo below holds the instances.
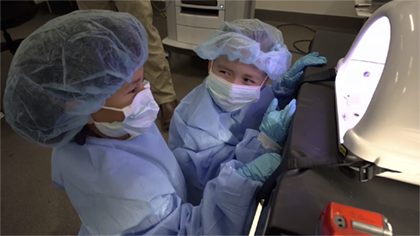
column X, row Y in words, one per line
column 226, row 209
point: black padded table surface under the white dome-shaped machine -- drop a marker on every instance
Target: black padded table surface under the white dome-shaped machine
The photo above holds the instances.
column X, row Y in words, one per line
column 300, row 197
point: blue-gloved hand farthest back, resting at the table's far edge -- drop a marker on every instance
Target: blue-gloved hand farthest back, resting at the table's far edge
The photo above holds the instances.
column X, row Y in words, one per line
column 291, row 78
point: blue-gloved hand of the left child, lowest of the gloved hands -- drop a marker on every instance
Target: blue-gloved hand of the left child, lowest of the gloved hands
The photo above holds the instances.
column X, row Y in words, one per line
column 261, row 168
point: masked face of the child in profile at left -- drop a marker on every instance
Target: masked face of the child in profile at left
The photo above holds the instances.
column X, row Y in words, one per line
column 118, row 118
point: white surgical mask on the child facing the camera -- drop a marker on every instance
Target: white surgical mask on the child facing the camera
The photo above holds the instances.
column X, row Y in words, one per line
column 231, row 97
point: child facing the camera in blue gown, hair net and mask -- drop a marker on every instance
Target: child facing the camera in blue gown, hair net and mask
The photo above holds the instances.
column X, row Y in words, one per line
column 233, row 114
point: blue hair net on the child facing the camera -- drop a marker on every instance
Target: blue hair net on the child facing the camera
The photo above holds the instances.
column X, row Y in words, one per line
column 252, row 42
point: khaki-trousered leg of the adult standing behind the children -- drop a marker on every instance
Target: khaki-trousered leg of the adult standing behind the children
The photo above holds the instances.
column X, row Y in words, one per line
column 156, row 68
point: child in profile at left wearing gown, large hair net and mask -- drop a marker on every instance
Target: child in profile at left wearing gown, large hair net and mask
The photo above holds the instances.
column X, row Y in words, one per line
column 76, row 85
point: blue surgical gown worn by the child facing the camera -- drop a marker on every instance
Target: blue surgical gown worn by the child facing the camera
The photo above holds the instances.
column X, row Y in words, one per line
column 202, row 136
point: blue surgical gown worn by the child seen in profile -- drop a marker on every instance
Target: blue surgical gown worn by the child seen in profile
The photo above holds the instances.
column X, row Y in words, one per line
column 136, row 187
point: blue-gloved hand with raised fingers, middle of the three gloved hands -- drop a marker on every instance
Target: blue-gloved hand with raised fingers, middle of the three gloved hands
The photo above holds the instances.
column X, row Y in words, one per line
column 275, row 123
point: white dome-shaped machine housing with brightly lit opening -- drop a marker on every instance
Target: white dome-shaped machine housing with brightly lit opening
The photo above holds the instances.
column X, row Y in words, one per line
column 377, row 92
